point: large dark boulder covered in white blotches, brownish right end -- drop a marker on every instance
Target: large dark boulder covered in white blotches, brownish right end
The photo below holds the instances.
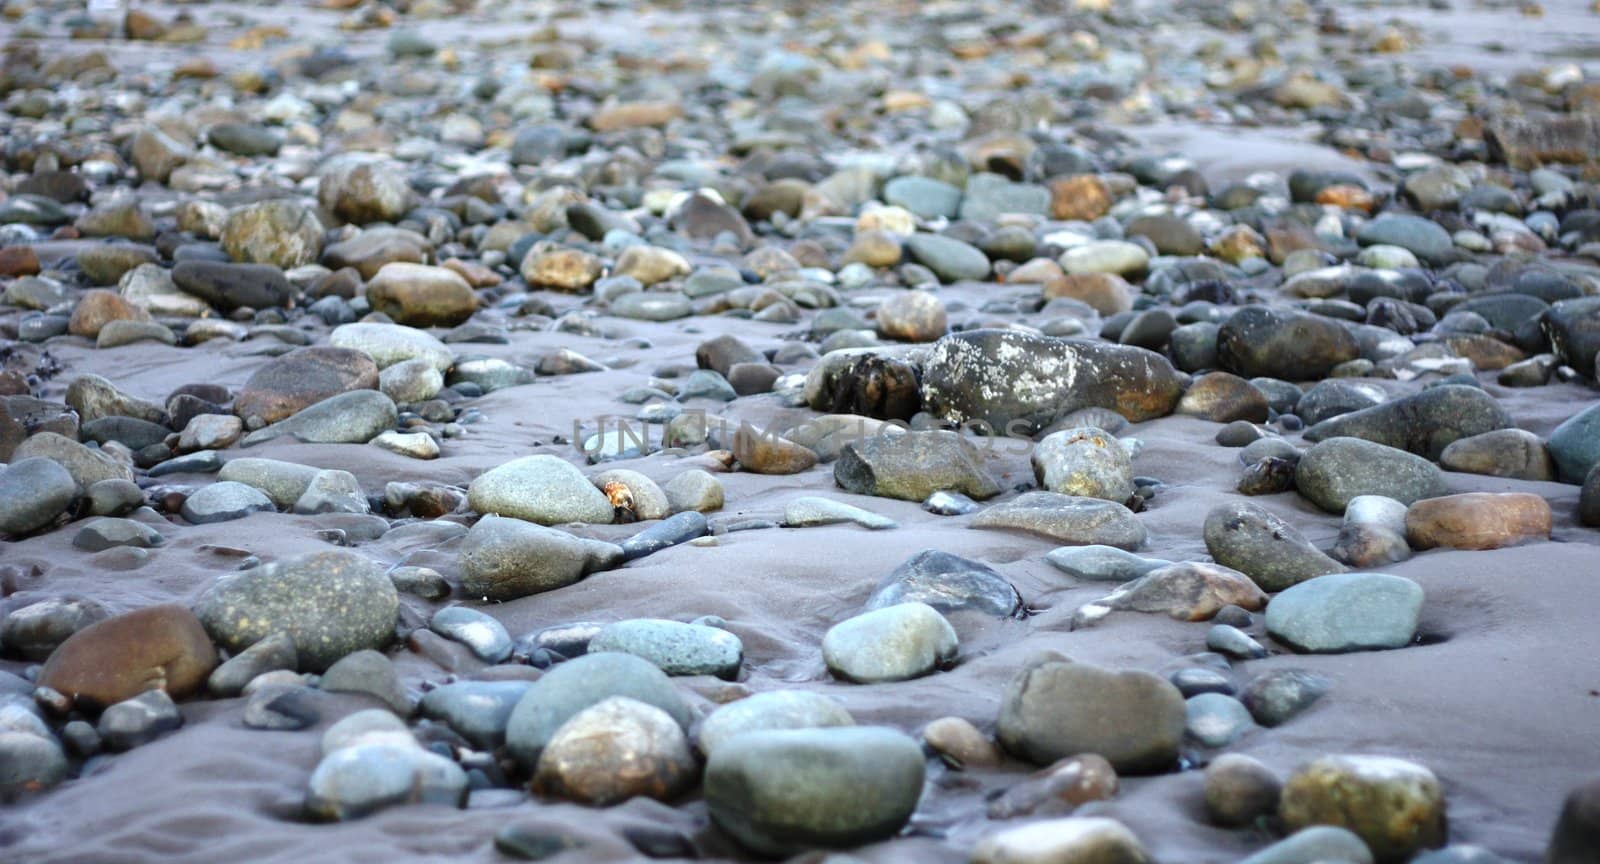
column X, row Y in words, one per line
column 1018, row 383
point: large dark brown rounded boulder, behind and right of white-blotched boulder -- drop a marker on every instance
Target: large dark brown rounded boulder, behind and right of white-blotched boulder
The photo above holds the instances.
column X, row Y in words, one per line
column 1279, row 343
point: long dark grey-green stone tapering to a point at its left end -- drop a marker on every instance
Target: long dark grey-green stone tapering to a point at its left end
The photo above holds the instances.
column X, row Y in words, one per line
column 1425, row 423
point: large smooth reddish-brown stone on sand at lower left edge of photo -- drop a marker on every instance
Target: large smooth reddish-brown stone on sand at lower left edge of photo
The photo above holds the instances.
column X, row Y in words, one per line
column 114, row 660
